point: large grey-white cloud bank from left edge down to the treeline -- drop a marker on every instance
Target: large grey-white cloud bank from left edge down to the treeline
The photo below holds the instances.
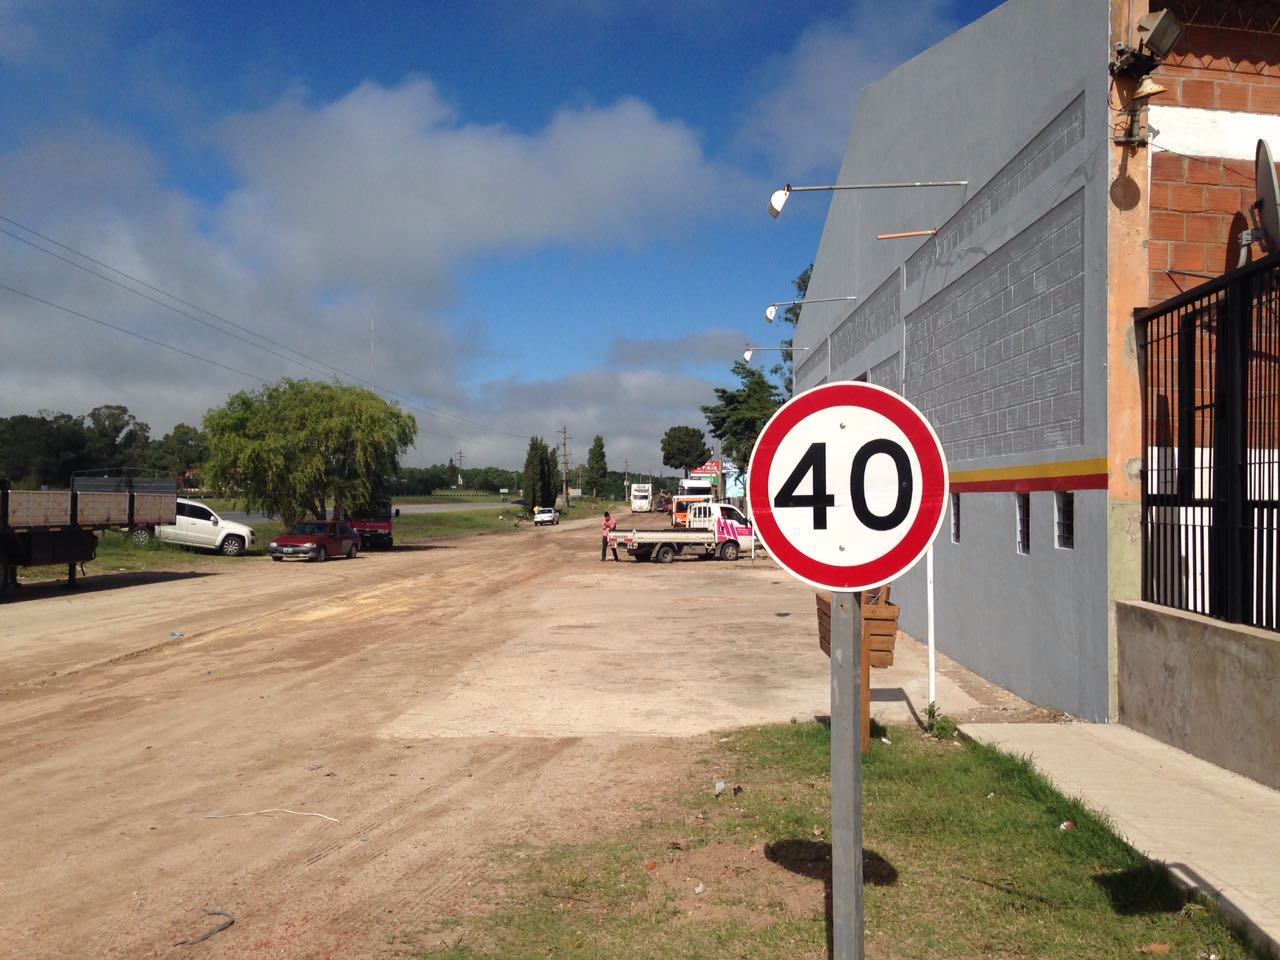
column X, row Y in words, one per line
column 383, row 193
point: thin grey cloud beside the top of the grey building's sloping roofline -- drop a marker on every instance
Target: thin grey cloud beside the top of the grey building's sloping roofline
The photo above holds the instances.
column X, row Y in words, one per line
column 804, row 117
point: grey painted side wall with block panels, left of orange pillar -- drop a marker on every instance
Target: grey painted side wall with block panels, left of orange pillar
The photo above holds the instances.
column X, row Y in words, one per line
column 996, row 327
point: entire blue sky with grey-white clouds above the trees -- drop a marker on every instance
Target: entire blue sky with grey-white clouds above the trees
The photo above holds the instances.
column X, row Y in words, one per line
column 551, row 214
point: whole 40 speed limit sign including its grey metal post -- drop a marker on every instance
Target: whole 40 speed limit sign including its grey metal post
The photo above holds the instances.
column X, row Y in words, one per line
column 848, row 486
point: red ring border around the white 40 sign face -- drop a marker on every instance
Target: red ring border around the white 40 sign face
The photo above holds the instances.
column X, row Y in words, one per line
column 927, row 449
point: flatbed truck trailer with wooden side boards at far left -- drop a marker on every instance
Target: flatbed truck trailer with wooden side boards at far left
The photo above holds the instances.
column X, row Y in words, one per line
column 61, row 527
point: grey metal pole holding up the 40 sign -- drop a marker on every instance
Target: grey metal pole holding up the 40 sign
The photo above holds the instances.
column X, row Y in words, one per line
column 847, row 778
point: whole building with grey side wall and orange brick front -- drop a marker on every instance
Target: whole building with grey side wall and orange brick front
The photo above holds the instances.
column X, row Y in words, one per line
column 1014, row 330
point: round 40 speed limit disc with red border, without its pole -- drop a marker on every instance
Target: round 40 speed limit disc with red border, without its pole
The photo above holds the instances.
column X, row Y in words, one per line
column 848, row 486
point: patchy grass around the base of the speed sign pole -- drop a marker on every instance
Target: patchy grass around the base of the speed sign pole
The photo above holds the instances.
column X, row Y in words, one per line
column 964, row 858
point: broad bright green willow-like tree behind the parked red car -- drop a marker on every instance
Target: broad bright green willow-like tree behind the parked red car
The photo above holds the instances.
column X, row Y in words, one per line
column 295, row 446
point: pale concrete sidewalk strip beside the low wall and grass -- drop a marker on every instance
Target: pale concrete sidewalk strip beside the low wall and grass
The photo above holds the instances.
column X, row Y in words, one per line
column 1215, row 830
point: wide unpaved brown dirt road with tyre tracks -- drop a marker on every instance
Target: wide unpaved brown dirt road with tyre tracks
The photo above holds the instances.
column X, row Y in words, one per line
column 437, row 702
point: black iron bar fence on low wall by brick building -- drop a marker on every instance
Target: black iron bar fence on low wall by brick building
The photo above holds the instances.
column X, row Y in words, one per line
column 1212, row 447
